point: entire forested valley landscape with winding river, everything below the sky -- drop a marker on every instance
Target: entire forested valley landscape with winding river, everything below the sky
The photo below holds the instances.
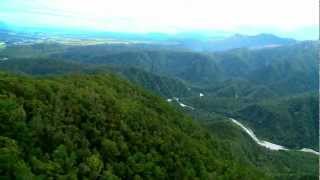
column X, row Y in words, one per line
column 159, row 111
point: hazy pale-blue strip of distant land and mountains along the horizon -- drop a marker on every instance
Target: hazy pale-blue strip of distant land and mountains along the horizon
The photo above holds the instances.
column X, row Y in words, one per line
column 197, row 41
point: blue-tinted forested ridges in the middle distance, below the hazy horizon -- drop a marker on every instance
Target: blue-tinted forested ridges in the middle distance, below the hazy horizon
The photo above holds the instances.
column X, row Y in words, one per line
column 287, row 69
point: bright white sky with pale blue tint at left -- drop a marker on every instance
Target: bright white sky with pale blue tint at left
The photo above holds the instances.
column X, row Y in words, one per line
column 168, row 16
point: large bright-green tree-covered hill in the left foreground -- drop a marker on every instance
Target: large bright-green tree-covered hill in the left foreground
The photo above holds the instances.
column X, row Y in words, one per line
column 102, row 127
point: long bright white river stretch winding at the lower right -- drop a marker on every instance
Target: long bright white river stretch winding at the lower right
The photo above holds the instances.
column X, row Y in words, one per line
column 267, row 144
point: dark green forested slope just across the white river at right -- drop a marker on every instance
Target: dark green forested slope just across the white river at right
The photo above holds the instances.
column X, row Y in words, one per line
column 291, row 121
